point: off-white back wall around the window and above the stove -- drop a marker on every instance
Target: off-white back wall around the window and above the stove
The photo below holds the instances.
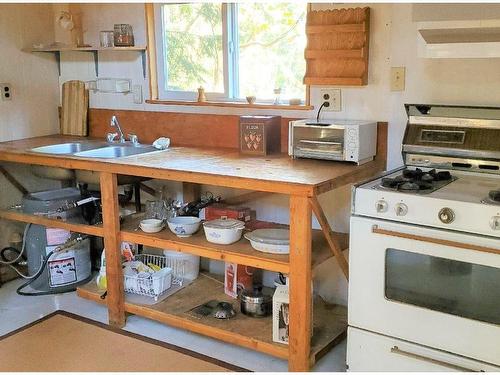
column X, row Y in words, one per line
column 393, row 42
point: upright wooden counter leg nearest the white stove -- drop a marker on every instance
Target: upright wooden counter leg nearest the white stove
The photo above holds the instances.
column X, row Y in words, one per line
column 300, row 284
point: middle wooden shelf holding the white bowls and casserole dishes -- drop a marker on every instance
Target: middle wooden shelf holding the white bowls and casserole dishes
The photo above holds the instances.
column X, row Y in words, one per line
column 240, row 252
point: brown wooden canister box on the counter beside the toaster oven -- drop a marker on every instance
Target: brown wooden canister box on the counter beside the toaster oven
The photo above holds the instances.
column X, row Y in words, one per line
column 260, row 135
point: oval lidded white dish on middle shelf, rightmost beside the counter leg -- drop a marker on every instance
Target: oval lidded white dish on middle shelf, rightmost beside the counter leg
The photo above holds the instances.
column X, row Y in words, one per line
column 273, row 241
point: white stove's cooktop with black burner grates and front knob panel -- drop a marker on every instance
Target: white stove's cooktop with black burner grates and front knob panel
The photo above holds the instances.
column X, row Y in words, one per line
column 461, row 201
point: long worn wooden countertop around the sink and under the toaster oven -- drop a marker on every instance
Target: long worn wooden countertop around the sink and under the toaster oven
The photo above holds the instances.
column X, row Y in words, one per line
column 222, row 167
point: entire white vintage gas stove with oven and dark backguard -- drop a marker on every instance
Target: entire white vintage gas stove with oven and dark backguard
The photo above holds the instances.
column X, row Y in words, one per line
column 424, row 288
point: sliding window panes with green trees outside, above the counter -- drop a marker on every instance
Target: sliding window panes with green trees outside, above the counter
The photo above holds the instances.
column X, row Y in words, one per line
column 232, row 51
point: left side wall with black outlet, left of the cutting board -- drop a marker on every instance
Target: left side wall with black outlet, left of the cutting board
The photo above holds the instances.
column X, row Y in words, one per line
column 33, row 108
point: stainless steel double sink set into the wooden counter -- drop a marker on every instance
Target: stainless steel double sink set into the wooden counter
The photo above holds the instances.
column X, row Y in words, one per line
column 95, row 149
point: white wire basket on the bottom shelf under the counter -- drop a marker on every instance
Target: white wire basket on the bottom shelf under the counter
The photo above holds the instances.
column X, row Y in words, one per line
column 172, row 273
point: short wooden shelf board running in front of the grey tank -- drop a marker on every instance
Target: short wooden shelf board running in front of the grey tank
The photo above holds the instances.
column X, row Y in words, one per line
column 16, row 215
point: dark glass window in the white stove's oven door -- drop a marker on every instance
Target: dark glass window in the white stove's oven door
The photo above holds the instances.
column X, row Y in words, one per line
column 459, row 288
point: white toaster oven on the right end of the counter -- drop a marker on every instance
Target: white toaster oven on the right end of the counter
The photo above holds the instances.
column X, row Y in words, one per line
column 340, row 140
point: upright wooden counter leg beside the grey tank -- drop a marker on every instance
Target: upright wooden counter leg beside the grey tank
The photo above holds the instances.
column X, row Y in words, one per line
column 111, row 222
